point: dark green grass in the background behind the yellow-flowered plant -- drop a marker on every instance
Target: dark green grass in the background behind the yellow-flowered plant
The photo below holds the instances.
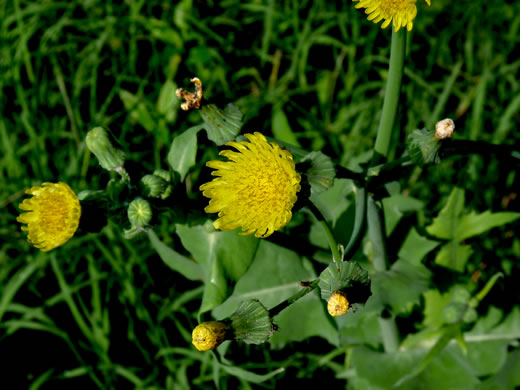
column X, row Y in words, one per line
column 106, row 312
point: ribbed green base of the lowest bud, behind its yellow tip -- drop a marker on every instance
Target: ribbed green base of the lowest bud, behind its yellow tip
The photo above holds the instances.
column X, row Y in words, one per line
column 251, row 322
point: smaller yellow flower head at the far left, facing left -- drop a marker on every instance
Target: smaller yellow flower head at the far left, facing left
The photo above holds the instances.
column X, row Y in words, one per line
column 52, row 215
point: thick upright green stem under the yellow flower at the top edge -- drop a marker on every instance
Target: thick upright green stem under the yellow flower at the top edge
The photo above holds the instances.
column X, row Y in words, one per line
column 393, row 85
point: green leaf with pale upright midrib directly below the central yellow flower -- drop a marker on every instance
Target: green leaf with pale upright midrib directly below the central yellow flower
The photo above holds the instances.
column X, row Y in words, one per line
column 223, row 256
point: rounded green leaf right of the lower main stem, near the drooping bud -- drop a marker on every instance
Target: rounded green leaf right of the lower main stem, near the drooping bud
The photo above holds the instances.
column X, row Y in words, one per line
column 401, row 286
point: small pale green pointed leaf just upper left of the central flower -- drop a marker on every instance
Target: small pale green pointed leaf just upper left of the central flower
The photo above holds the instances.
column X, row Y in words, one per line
column 183, row 151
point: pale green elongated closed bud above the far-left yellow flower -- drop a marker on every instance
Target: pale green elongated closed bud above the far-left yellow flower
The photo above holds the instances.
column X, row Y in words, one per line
column 98, row 142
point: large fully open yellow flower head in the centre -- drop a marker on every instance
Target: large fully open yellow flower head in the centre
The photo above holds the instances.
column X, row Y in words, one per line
column 255, row 190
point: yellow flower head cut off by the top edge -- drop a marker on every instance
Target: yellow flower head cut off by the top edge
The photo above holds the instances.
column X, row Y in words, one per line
column 402, row 12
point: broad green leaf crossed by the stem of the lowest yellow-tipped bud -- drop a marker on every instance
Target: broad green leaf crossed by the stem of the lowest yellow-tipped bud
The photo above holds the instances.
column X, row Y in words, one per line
column 274, row 276
